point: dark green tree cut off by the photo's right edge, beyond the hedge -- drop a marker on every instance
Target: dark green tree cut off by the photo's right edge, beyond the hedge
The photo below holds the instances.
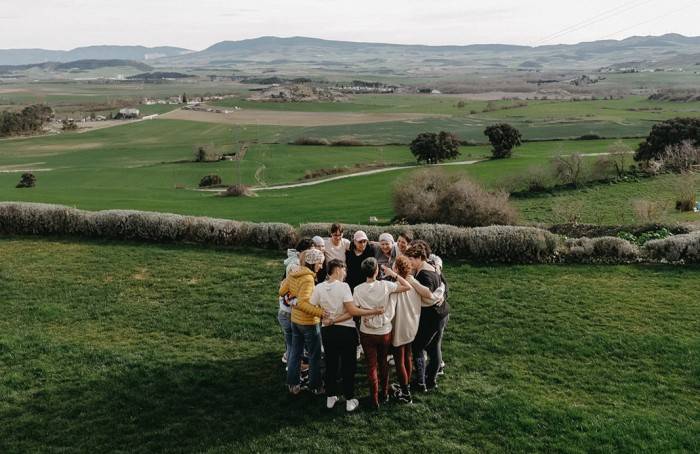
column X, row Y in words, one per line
column 668, row 133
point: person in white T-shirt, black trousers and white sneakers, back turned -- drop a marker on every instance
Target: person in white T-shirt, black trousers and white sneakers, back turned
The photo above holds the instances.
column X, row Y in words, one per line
column 339, row 334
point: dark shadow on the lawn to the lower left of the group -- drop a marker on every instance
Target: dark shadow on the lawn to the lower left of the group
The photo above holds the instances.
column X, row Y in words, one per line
column 159, row 407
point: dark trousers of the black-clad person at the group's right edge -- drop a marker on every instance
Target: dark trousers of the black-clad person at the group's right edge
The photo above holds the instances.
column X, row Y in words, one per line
column 429, row 340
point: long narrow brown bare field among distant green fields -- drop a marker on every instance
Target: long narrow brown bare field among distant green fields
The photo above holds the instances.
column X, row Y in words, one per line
column 269, row 117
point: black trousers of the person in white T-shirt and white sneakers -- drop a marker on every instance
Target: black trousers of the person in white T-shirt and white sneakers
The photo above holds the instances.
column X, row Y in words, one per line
column 340, row 348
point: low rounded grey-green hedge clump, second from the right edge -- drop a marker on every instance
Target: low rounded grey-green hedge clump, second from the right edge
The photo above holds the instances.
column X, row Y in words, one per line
column 606, row 249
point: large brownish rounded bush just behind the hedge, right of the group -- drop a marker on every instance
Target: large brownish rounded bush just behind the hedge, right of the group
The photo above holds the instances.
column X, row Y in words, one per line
column 467, row 203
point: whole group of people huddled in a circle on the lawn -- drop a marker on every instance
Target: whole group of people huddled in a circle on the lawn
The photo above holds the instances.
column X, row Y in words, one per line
column 342, row 297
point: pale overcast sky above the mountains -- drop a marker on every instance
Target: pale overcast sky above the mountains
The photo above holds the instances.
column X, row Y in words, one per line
column 197, row 24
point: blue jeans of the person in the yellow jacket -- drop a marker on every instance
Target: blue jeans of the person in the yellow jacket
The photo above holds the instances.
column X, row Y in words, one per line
column 305, row 336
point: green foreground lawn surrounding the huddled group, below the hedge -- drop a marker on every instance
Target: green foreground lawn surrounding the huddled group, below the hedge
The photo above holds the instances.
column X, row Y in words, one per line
column 151, row 348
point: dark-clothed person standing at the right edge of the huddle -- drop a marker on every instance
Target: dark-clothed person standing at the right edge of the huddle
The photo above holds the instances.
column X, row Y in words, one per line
column 433, row 319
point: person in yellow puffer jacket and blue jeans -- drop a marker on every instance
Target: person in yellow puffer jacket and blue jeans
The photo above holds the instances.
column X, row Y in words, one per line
column 305, row 318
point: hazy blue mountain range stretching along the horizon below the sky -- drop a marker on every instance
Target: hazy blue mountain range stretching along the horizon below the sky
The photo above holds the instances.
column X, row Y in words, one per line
column 385, row 58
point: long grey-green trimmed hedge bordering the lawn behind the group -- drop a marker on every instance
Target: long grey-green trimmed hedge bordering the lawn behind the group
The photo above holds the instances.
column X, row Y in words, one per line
column 504, row 244
